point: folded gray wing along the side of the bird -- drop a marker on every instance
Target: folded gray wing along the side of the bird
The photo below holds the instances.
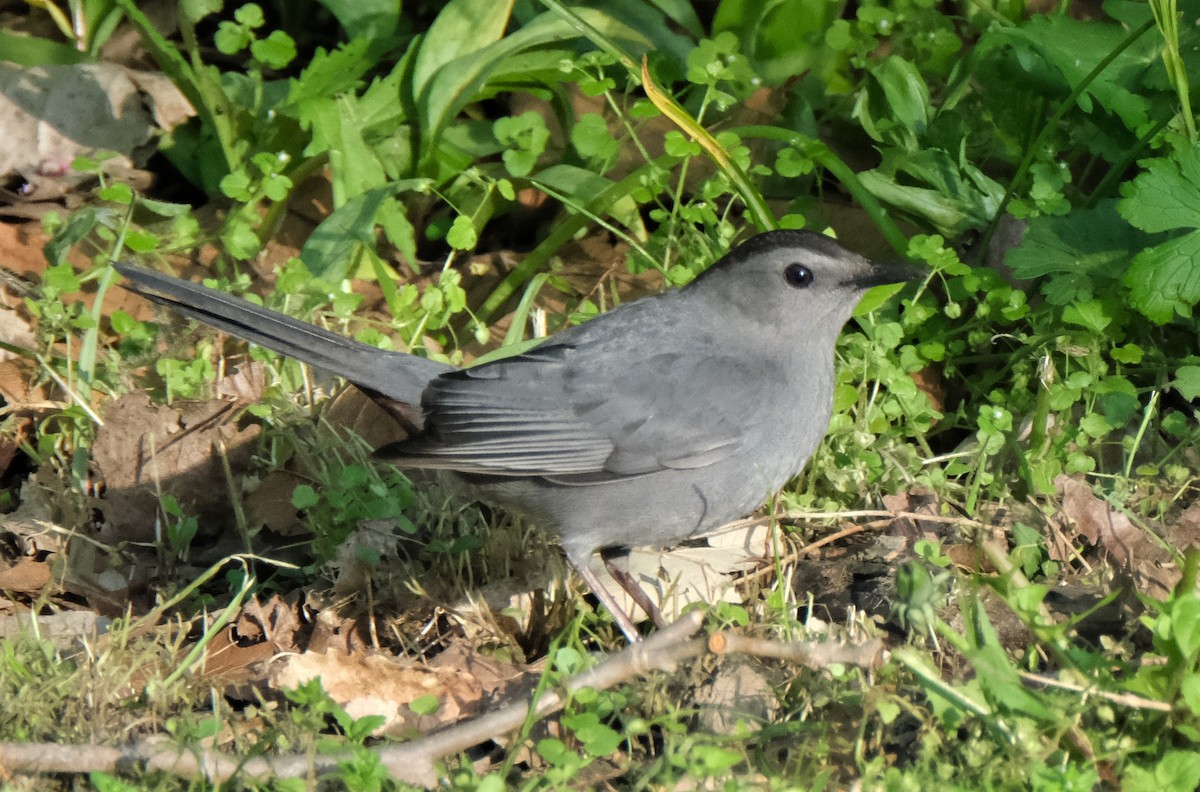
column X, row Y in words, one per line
column 581, row 418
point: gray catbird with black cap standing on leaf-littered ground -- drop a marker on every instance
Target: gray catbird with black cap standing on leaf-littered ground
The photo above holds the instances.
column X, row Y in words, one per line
column 657, row 422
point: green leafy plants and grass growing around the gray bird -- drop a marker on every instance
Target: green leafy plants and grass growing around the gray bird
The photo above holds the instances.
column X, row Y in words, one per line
column 1046, row 169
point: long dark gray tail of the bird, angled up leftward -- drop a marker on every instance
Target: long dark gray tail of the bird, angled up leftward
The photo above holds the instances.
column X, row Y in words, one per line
column 395, row 375
